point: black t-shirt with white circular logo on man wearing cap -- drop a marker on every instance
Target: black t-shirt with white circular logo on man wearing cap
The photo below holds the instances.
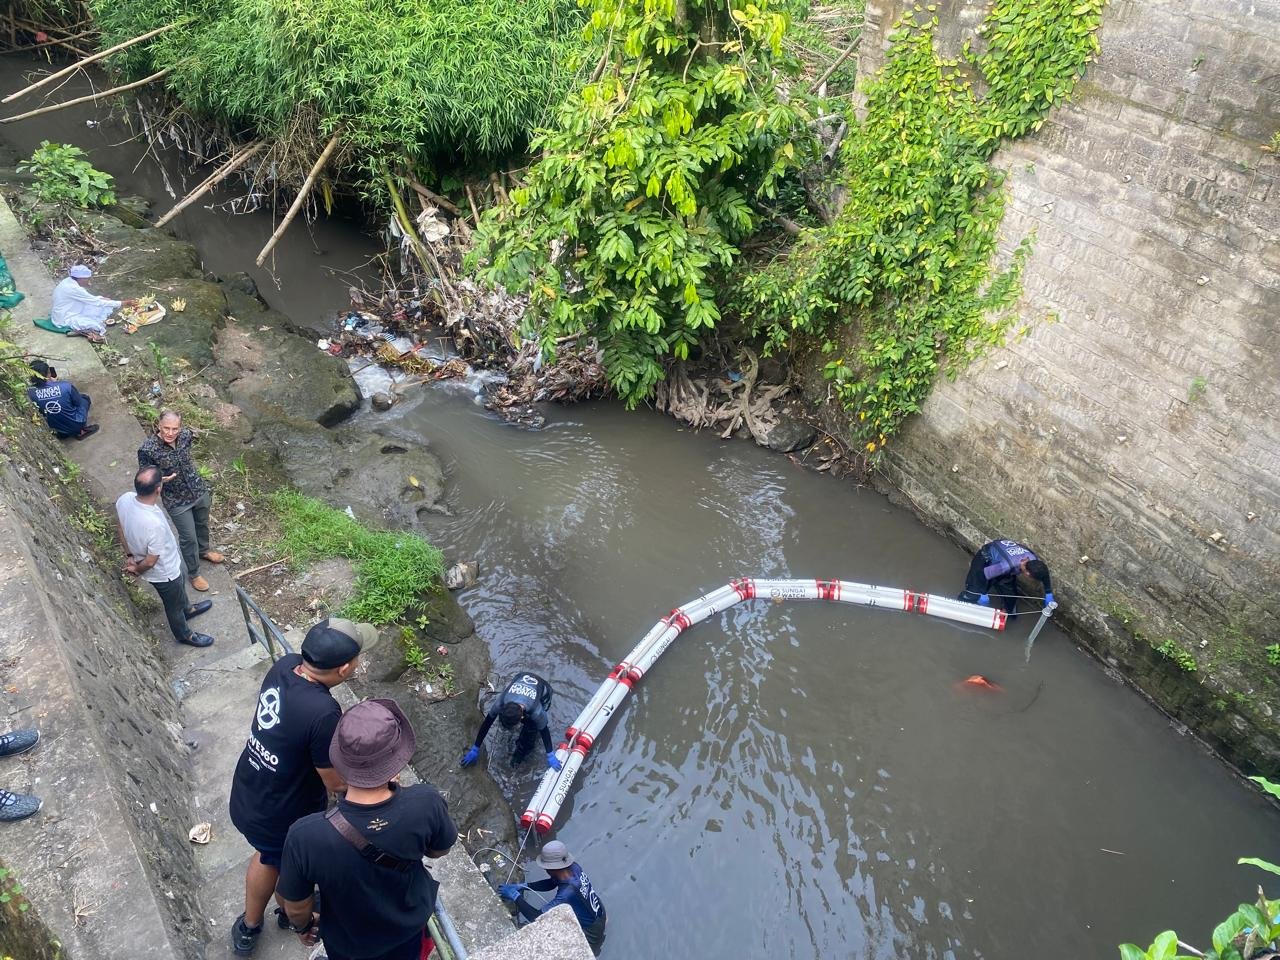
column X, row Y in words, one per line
column 276, row 781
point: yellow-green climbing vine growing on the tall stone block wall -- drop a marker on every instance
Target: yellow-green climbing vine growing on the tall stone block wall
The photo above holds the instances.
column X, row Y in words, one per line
column 909, row 258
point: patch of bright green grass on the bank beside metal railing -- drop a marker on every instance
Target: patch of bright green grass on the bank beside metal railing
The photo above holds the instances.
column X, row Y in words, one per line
column 394, row 569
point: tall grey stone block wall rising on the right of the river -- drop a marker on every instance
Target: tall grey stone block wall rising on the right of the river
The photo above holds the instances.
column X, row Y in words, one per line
column 1137, row 424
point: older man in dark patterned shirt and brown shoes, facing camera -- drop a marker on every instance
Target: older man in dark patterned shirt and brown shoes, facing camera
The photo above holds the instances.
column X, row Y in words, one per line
column 186, row 493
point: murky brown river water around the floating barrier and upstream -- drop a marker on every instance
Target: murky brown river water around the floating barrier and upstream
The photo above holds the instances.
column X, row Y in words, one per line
column 790, row 781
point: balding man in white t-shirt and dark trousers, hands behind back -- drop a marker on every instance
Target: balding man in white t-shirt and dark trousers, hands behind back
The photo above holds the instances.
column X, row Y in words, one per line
column 152, row 554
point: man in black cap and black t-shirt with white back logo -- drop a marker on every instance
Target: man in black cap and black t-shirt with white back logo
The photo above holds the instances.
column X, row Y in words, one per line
column 285, row 771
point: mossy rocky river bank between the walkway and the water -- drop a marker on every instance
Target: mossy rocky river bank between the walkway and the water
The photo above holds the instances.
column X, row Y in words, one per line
column 272, row 410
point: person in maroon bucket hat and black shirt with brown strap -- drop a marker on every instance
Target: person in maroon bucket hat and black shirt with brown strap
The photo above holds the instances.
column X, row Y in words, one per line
column 367, row 854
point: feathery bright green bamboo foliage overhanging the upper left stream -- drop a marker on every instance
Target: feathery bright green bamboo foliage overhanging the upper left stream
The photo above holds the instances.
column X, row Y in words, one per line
column 400, row 77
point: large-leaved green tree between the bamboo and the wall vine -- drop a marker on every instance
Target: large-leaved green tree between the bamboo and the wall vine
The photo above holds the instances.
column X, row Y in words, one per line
column 646, row 185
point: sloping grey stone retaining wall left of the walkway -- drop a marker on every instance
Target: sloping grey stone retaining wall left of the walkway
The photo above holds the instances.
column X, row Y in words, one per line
column 107, row 862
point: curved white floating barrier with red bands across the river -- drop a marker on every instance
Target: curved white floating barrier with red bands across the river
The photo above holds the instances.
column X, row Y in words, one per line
column 555, row 787
